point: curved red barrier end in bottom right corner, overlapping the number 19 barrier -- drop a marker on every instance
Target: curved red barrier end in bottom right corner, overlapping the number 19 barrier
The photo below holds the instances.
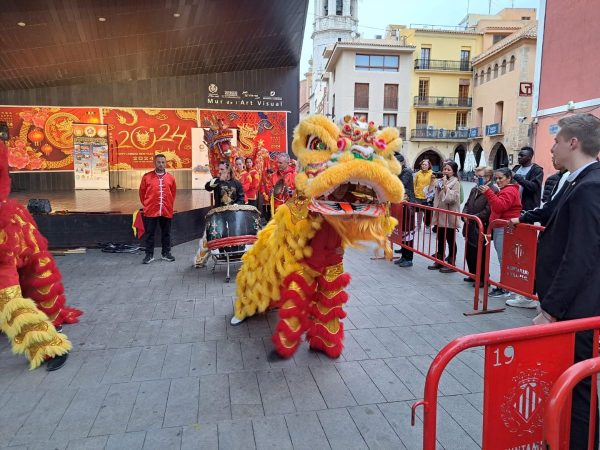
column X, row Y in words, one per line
column 559, row 397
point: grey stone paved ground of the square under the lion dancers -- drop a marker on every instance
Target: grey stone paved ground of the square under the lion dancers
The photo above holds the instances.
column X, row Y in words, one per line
column 156, row 365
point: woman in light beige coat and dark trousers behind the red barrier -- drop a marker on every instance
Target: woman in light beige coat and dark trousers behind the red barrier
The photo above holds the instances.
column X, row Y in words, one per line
column 447, row 197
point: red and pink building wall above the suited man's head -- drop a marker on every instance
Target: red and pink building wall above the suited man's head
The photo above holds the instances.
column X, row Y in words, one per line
column 566, row 64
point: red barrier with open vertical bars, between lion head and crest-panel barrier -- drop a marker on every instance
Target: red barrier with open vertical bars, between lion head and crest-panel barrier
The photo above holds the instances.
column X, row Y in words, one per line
column 427, row 247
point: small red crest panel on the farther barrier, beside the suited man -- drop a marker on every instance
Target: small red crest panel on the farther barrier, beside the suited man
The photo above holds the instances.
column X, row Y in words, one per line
column 518, row 258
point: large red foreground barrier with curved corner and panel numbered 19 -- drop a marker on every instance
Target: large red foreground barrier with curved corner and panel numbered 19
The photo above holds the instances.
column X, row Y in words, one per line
column 521, row 364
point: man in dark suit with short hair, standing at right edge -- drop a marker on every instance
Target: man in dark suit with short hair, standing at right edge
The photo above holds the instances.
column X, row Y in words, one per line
column 568, row 268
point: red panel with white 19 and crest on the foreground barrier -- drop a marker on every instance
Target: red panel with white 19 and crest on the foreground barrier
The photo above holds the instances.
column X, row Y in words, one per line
column 518, row 377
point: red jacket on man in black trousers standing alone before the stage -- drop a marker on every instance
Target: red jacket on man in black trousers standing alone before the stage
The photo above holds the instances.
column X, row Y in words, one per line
column 157, row 194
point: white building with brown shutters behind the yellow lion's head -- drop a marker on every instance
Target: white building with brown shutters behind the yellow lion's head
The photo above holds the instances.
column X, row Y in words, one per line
column 370, row 78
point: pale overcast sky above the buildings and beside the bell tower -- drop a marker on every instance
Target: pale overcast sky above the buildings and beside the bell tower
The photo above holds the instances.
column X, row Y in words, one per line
column 375, row 15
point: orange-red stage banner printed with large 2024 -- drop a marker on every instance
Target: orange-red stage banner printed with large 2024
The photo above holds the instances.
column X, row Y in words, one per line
column 137, row 134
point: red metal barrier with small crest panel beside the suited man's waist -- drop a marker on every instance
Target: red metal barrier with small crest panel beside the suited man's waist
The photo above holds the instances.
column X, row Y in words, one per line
column 517, row 272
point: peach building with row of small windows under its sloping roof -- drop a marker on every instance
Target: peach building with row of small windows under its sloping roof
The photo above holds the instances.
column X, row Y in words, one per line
column 503, row 80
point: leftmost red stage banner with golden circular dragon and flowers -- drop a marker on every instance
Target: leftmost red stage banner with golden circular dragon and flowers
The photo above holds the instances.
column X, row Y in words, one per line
column 41, row 138
